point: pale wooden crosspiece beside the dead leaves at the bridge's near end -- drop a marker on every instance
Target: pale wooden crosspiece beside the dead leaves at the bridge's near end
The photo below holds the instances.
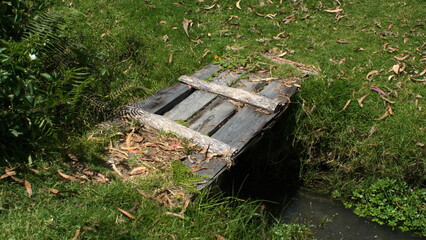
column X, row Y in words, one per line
column 162, row 123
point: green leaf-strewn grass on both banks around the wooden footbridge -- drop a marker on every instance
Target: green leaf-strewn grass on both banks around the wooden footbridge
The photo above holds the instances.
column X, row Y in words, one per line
column 143, row 43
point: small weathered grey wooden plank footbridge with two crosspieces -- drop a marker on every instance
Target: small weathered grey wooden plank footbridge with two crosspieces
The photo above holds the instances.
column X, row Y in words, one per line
column 223, row 111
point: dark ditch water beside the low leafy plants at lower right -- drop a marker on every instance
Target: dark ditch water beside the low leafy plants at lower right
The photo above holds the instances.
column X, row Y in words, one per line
column 330, row 220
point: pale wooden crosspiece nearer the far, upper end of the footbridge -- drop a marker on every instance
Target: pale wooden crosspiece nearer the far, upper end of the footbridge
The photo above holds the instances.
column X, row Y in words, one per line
column 235, row 94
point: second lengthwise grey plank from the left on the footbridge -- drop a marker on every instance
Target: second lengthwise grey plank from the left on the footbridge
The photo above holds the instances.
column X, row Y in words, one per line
column 197, row 100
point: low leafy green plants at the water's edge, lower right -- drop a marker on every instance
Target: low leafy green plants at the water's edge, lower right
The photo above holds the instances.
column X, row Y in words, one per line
column 390, row 202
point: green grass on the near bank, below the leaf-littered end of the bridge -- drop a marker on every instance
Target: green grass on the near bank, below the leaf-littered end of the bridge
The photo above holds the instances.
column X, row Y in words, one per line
column 93, row 208
